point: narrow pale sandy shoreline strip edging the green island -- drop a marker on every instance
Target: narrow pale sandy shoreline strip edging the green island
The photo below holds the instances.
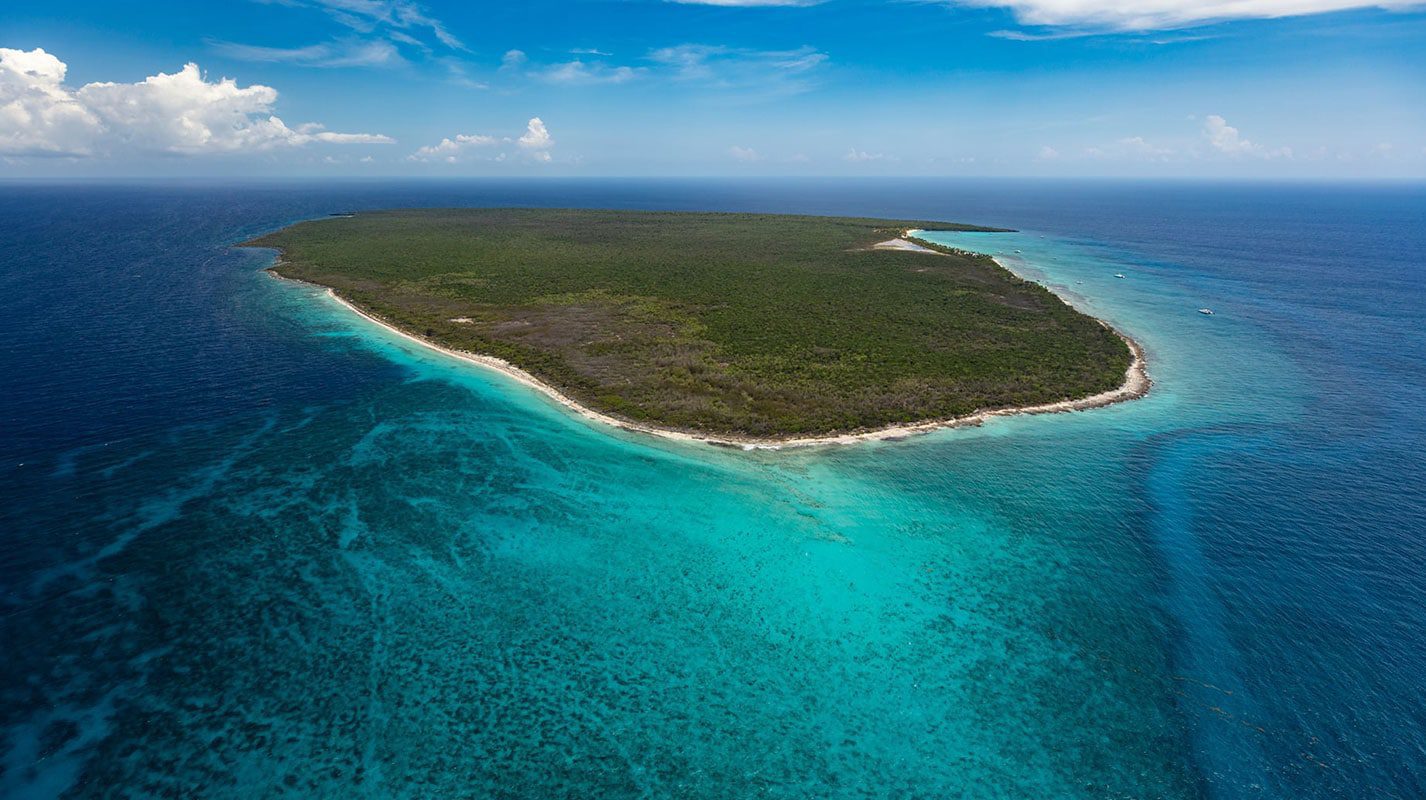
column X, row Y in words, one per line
column 1137, row 384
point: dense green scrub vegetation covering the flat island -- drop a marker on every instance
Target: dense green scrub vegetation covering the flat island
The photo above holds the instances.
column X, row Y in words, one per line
column 744, row 324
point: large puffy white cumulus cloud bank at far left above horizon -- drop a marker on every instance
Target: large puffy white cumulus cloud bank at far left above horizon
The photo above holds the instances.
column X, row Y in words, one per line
column 180, row 113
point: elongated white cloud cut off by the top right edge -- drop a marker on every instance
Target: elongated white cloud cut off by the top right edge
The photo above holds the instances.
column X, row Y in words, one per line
column 1159, row 15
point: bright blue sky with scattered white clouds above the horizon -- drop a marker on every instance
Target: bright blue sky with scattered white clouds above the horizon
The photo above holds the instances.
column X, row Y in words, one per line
column 1253, row 89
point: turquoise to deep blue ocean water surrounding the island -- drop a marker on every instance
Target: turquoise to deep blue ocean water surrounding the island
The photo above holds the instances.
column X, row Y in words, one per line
column 255, row 547
